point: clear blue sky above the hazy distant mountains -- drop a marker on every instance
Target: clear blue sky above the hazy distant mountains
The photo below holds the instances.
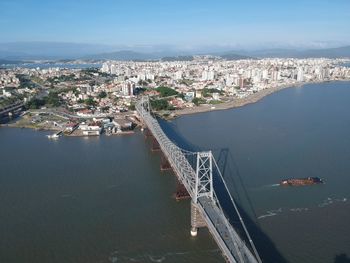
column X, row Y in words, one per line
column 180, row 23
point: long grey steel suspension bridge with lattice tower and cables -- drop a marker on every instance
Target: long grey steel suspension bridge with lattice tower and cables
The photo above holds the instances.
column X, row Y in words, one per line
column 195, row 171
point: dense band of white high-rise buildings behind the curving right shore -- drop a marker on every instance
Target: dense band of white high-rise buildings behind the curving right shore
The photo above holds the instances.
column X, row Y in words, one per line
column 238, row 78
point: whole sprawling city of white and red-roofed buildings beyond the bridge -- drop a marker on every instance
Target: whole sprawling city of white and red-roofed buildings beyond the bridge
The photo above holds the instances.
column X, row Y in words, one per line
column 111, row 91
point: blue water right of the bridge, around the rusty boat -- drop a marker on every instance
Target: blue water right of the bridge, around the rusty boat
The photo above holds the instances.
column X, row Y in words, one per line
column 296, row 132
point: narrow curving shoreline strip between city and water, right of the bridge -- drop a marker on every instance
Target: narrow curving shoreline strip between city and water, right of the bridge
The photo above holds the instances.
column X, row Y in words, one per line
column 237, row 103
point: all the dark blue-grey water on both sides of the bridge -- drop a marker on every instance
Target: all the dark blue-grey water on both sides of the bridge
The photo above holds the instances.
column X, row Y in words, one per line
column 105, row 199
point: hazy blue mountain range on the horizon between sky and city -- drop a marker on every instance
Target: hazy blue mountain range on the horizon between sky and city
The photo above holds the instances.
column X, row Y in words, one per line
column 19, row 51
